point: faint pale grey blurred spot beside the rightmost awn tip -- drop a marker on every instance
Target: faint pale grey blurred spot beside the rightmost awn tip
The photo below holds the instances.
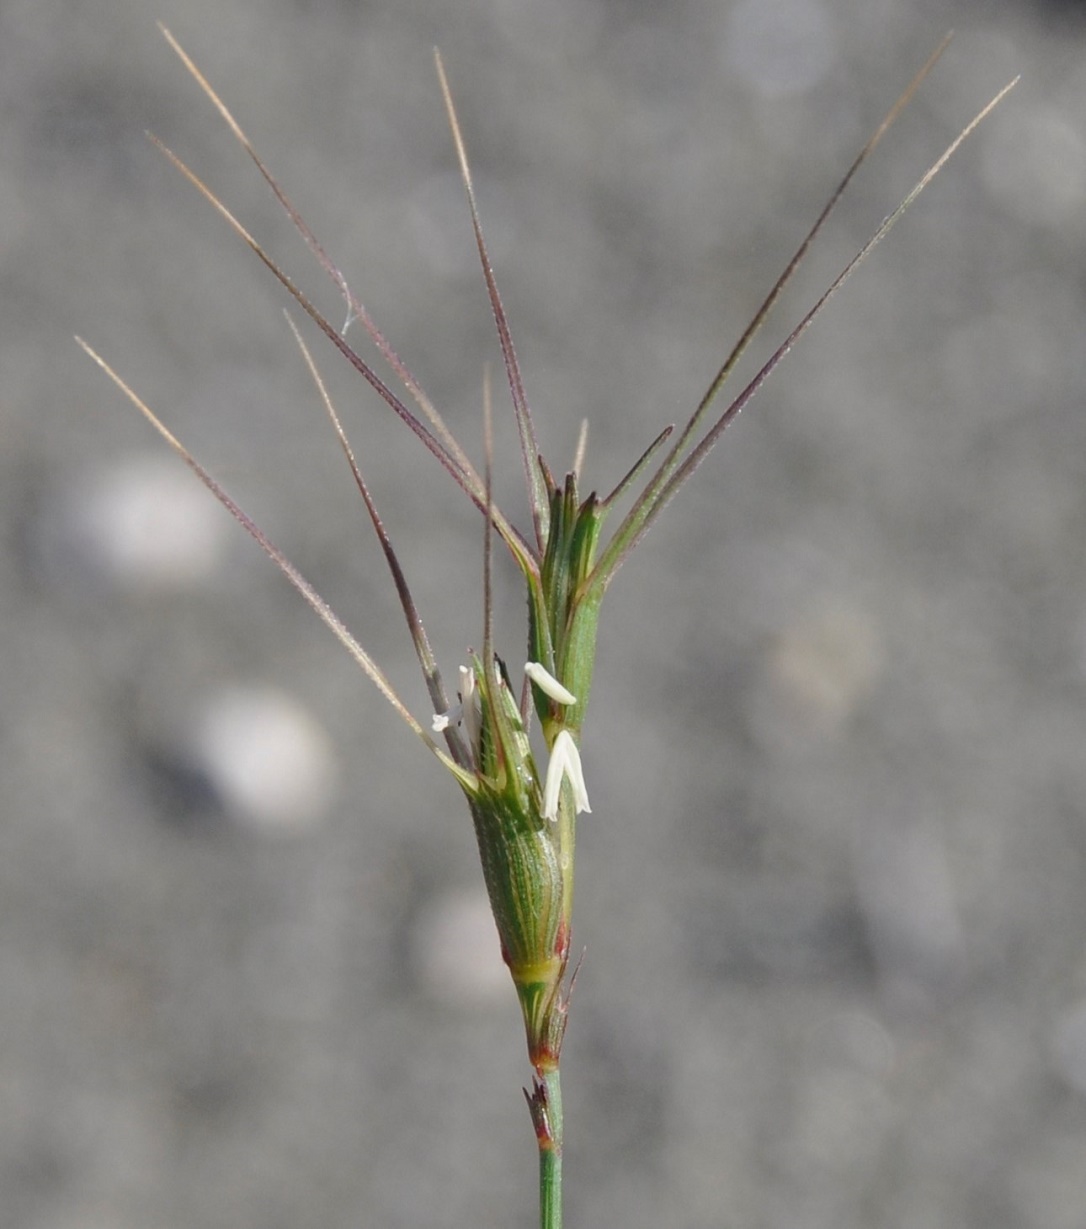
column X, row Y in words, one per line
column 1035, row 163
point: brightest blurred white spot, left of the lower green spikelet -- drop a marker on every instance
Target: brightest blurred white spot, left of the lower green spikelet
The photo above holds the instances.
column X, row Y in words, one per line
column 267, row 758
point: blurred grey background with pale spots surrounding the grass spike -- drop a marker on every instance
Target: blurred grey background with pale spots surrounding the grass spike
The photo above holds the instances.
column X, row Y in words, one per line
column 834, row 889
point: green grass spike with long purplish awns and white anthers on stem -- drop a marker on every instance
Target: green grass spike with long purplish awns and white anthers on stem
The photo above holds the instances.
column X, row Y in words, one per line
column 525, row 813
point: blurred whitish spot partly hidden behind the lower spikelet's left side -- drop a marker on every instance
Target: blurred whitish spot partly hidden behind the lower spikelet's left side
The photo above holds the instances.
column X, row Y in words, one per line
column 455, row 949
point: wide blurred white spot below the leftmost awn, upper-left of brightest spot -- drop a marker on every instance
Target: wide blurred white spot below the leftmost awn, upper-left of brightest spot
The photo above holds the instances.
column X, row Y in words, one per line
column 149, row 522
